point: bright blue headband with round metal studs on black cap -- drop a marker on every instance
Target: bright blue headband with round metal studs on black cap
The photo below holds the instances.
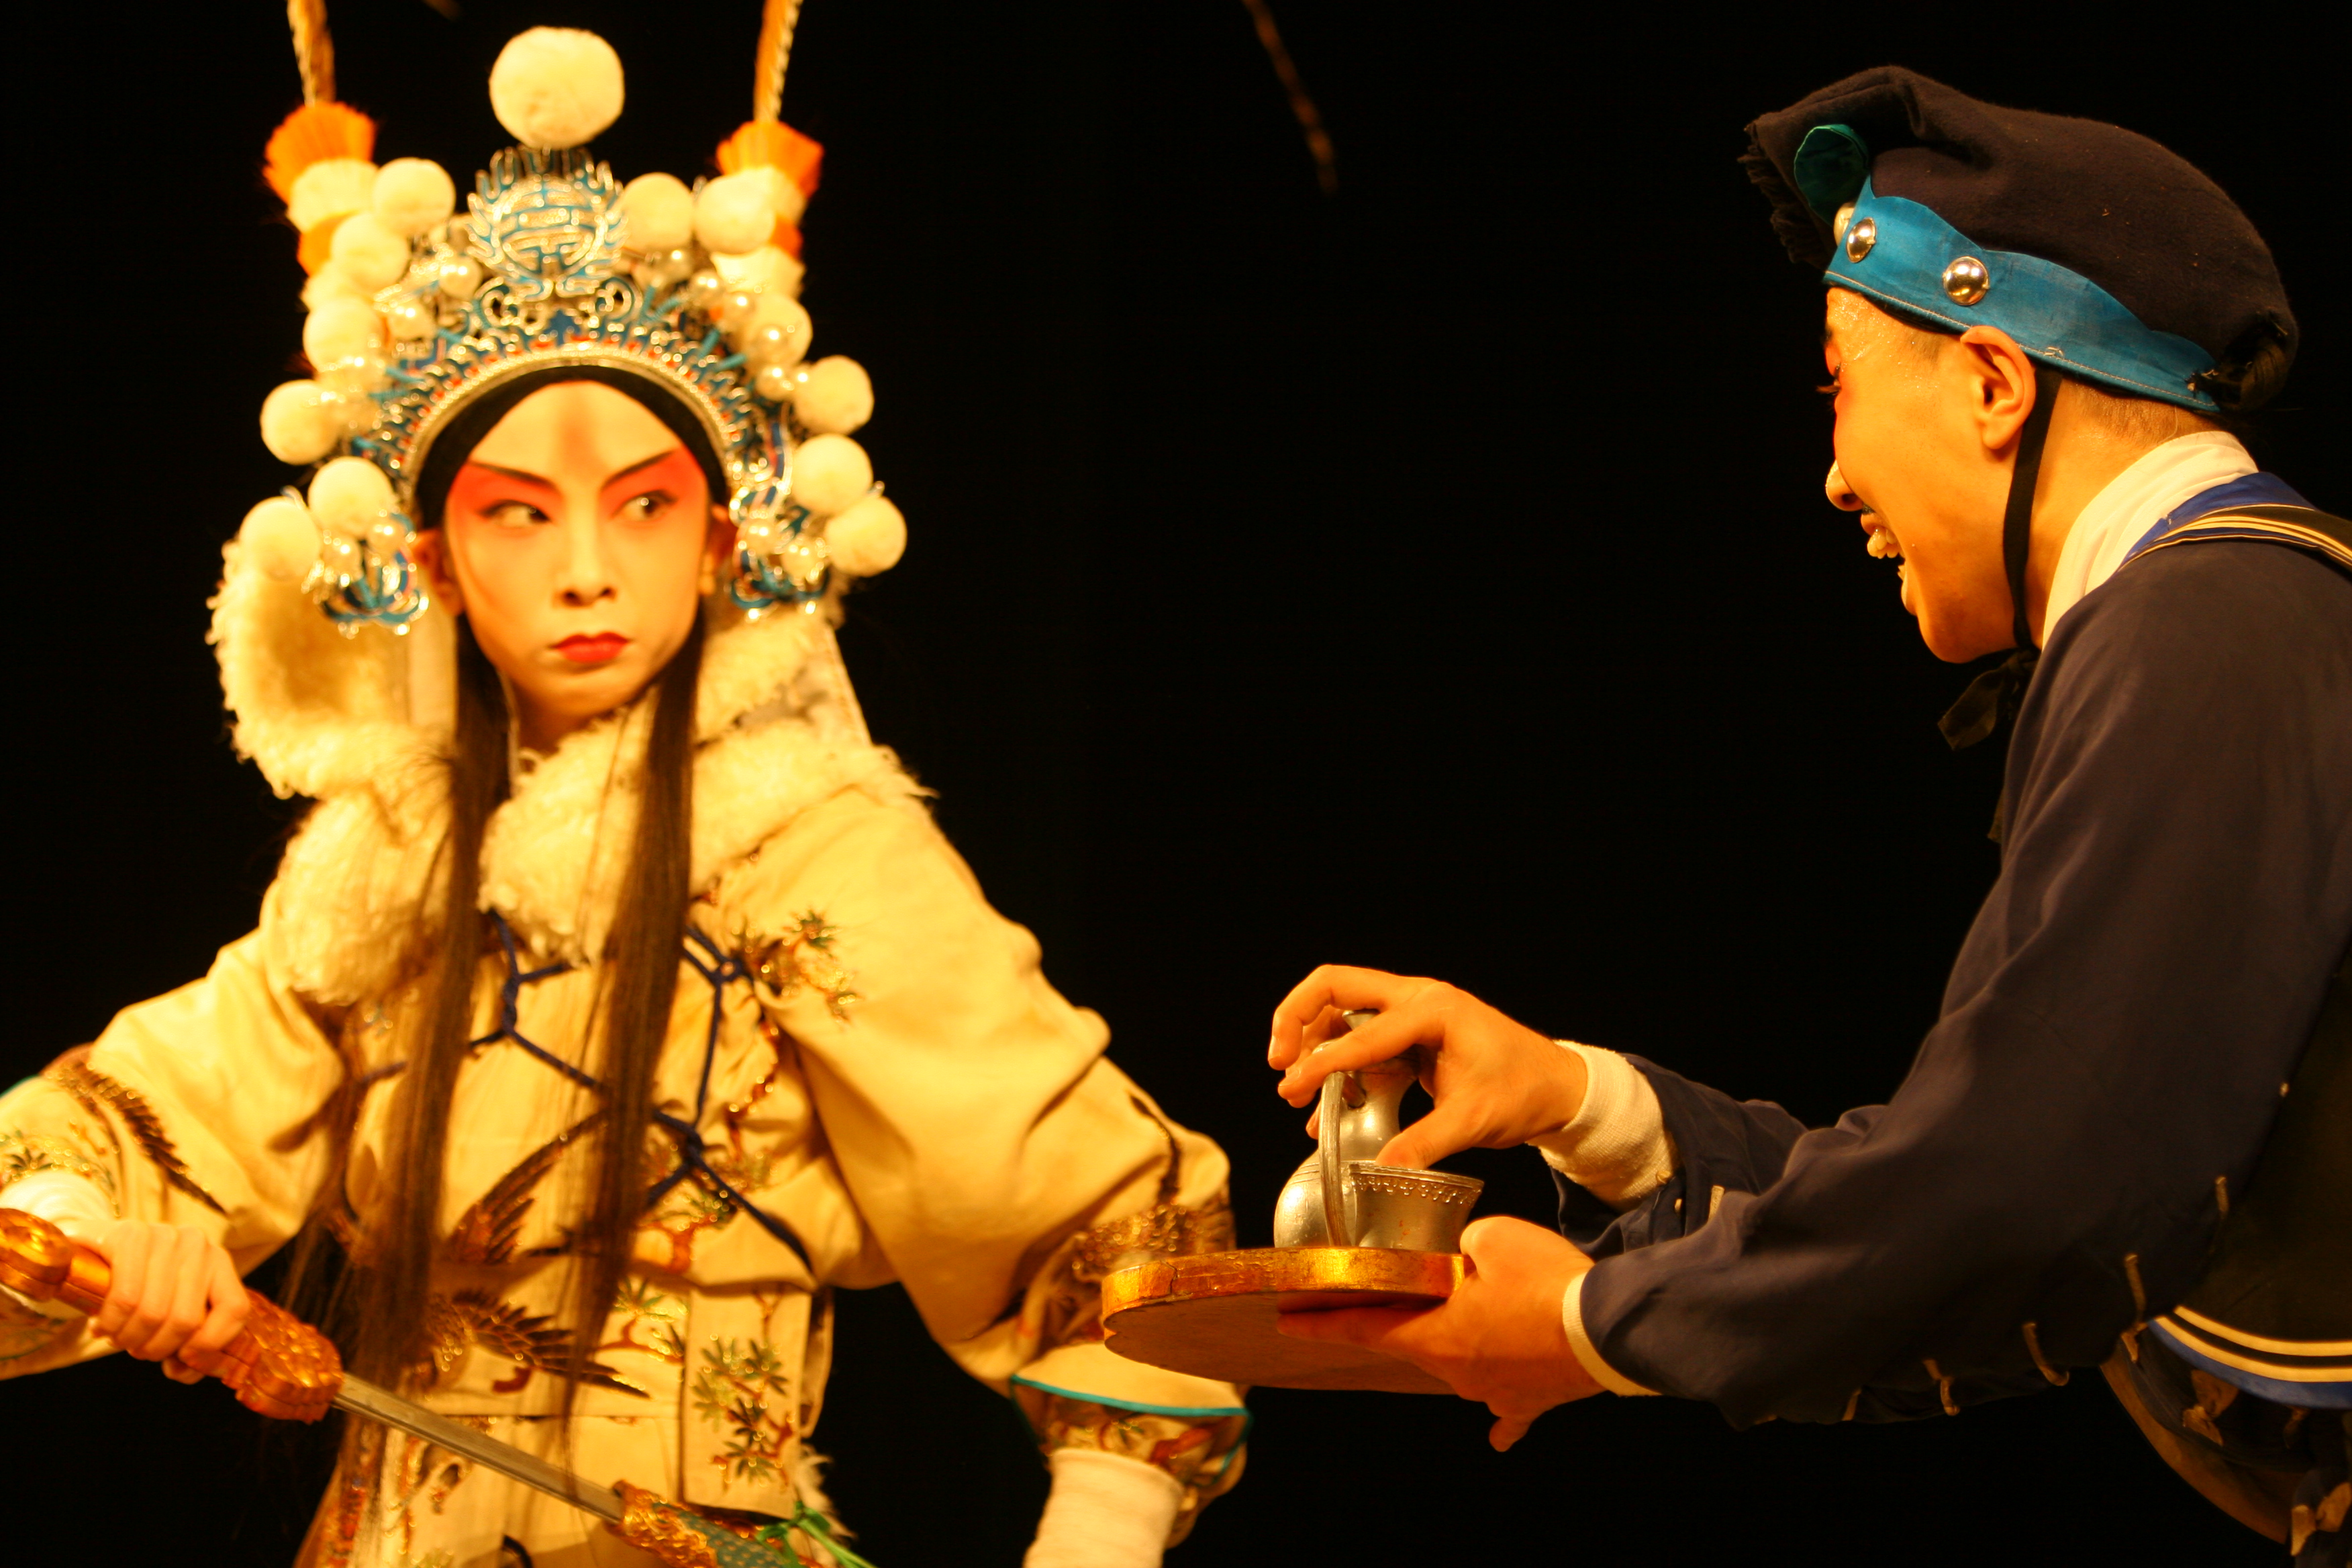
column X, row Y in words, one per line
column 1902, row 255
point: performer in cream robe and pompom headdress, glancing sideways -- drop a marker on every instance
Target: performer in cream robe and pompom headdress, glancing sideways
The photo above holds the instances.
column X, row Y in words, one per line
column 617, row 1000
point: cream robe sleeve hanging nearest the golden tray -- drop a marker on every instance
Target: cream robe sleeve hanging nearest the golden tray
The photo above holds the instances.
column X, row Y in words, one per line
column 996, row 1158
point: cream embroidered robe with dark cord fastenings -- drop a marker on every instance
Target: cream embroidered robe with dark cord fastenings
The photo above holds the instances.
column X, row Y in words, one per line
column 862, row 1052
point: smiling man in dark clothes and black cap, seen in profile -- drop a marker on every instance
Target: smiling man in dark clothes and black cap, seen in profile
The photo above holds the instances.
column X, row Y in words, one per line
column 2130, row 1137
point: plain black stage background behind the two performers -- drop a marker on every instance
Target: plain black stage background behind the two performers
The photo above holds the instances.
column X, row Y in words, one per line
column 1429, row 577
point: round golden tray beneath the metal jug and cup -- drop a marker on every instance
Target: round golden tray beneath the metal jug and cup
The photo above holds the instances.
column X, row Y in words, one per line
column 1215, row 1315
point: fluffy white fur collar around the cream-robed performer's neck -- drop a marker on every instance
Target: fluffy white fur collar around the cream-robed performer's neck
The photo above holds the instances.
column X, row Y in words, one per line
column 361, row 725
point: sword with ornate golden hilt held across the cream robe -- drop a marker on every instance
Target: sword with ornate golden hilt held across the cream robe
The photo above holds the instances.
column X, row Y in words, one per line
column 286, row 1369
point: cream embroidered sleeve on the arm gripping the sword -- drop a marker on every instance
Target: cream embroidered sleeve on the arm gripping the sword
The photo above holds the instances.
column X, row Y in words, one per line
column 194, row 1108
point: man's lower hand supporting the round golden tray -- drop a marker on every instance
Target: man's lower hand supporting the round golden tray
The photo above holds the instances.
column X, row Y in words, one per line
column 1497, row 1339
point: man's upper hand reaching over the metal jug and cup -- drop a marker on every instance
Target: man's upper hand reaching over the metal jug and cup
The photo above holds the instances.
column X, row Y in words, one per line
column 1495, row 1080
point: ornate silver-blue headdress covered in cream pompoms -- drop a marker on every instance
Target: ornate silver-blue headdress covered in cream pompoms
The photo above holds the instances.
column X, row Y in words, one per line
column 420, row 311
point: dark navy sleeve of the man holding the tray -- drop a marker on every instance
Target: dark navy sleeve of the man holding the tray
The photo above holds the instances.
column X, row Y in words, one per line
column 2111, row 1052
